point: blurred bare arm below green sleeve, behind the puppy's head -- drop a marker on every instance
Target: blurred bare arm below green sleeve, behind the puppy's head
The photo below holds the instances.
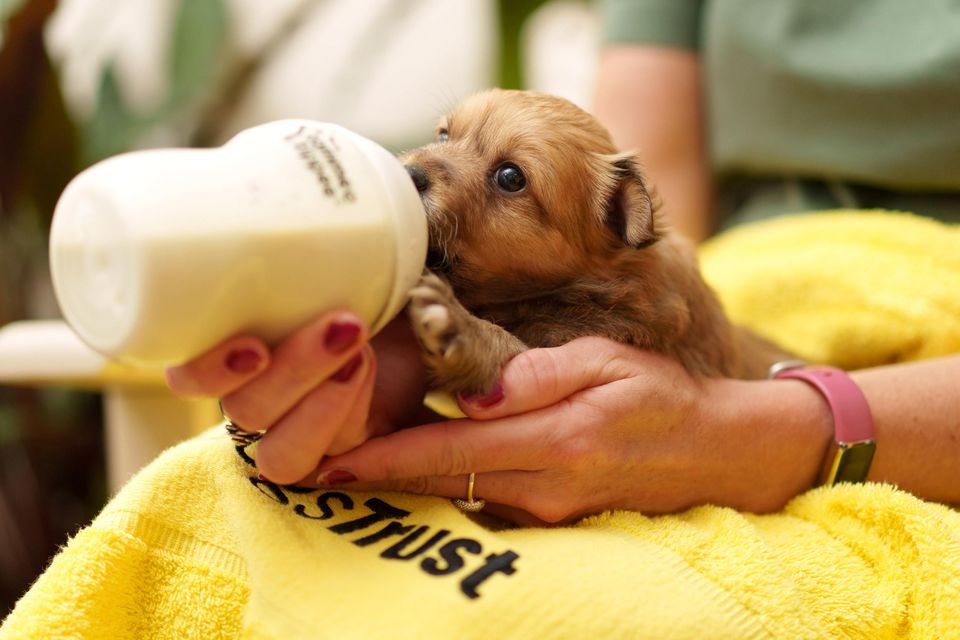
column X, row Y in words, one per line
column 650, row 100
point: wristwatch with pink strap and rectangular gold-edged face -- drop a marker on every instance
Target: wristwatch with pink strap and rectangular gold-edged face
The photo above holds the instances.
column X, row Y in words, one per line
column 853, row 430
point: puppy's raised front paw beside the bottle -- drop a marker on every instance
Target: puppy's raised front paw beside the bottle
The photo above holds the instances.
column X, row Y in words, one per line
column 438, row 319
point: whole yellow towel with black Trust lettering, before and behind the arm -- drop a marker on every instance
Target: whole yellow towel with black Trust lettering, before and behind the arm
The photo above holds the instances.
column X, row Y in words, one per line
column 196, row 547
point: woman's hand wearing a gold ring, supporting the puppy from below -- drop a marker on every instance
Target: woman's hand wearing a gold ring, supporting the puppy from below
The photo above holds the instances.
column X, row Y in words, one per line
column 596, row 425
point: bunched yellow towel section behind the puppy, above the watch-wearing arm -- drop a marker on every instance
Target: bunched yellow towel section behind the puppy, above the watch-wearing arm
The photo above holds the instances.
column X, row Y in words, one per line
column 852, row 288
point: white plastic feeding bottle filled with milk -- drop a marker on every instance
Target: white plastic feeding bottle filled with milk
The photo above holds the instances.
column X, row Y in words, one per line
column 156, row 256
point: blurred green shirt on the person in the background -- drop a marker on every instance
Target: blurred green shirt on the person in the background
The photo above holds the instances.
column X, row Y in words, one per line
column 857, row 95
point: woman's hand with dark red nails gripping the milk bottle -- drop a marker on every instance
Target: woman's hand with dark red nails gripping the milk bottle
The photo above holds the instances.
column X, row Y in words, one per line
column 322, row 391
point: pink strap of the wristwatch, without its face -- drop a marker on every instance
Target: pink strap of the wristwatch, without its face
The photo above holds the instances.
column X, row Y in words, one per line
column 851, row 414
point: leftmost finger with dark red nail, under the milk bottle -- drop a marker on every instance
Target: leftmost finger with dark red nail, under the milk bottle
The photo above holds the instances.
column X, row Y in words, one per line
column 220, row 371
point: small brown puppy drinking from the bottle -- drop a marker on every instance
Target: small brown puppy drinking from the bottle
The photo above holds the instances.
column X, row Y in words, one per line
column 541, row 232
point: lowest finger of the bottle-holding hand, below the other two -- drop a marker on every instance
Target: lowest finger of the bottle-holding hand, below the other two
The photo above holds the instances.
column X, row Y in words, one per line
column 294, row 445
